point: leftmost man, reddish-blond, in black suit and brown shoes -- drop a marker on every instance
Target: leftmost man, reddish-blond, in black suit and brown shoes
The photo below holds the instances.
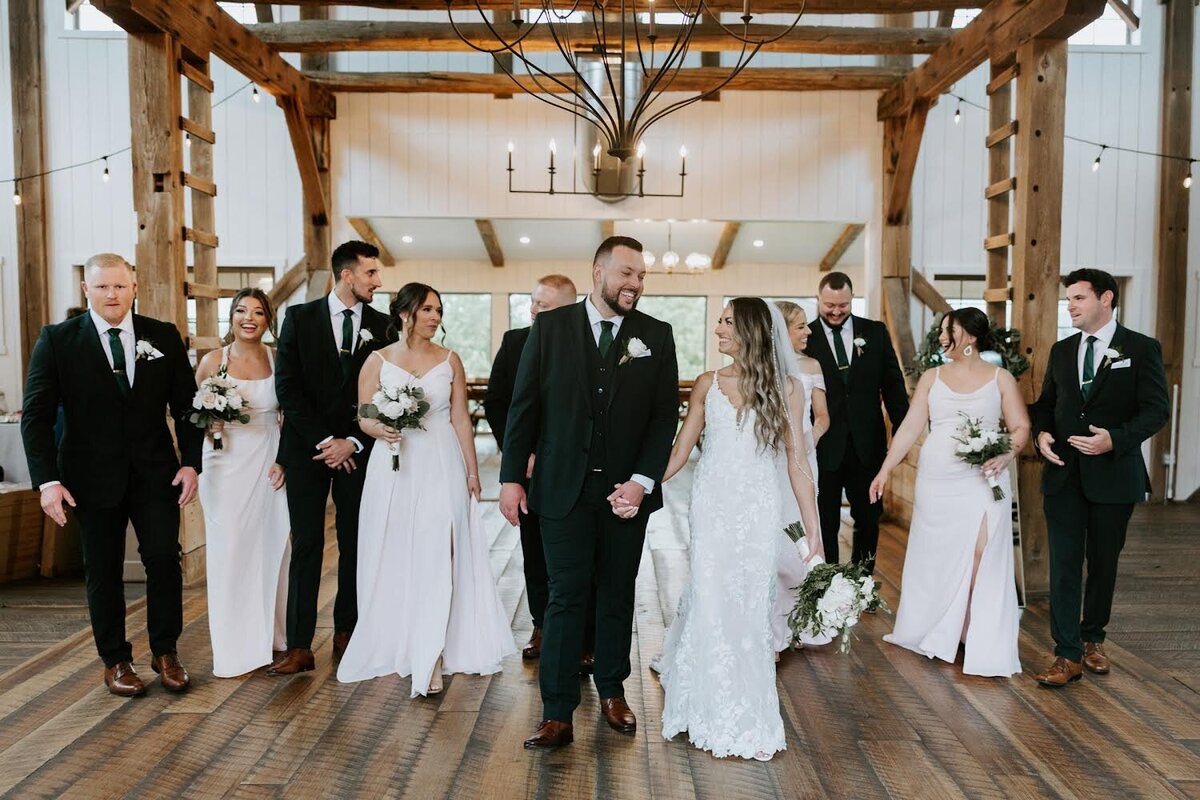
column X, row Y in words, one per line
column 116, row 375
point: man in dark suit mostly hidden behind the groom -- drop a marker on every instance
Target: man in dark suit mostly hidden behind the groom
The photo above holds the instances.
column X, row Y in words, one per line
column 553, row 292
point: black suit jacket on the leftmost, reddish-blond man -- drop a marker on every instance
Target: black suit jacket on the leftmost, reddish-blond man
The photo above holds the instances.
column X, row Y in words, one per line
column 109, row 440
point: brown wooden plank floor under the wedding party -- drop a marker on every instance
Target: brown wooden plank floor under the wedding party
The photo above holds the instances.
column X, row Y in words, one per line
column 880, row 723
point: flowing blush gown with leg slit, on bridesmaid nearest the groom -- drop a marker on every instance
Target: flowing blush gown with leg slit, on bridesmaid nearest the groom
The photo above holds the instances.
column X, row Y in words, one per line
column 424, row 574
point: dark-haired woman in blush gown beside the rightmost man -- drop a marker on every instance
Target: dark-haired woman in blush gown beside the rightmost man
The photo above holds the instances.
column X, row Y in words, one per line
column 958, row 585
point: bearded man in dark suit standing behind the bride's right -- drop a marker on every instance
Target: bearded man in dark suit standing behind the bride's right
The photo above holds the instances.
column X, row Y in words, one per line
column 860, row 368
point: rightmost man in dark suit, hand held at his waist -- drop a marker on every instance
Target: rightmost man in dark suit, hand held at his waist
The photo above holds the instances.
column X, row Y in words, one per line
column 1105, row 395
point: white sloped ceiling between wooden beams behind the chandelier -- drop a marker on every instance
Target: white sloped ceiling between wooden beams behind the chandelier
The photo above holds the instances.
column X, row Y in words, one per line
column 439, row 239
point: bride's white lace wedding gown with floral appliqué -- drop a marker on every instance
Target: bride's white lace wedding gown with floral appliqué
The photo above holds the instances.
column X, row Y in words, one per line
column 718, row 663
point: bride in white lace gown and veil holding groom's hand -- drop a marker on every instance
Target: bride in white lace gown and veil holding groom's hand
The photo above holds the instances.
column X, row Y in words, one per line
column 718, row 664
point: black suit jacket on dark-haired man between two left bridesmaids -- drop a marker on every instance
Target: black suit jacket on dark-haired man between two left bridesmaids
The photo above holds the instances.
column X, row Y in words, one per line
column 316, row 399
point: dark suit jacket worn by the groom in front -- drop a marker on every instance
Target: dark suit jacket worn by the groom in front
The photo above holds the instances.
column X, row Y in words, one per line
column 553, row 410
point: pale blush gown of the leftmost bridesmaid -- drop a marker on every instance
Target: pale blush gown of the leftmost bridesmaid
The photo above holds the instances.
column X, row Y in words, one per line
column 247, row 536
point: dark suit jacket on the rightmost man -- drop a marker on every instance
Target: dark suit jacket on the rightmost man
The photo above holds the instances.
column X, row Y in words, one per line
column 1130, row 402
